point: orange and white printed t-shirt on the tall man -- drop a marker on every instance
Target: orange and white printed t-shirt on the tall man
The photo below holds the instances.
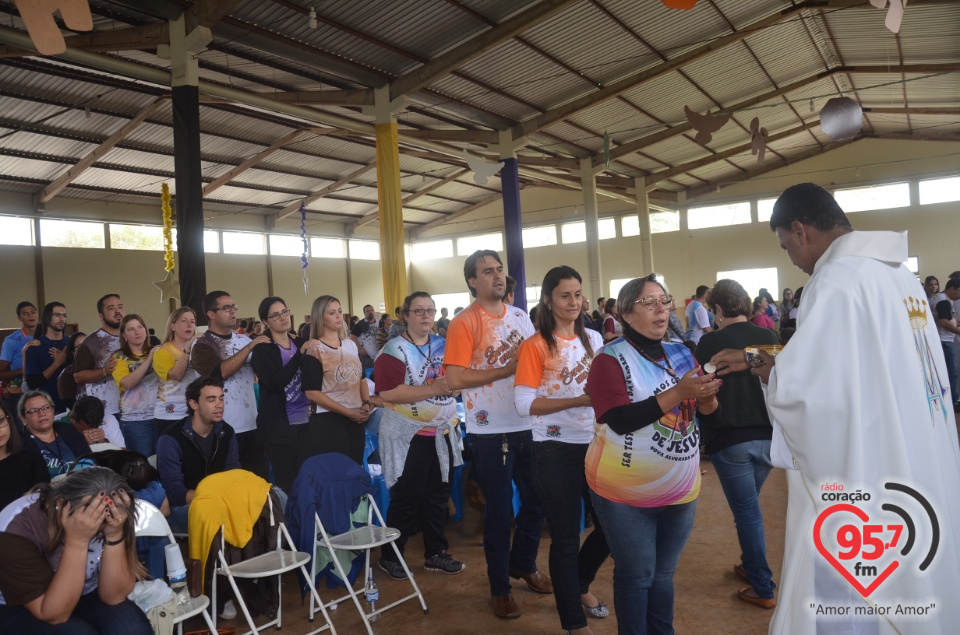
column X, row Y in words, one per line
column 480, row 341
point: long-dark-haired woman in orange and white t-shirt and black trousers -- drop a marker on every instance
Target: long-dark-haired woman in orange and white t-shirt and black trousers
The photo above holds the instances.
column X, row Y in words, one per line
column 550, row 387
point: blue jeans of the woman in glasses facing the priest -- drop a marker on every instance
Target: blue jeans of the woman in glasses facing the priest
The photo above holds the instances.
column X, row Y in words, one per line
column 646, row 543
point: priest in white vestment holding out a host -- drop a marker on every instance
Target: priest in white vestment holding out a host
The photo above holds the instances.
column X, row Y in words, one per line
column 861, row 406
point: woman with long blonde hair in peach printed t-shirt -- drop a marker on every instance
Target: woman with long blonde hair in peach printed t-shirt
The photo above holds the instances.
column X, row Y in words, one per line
column 333, row 381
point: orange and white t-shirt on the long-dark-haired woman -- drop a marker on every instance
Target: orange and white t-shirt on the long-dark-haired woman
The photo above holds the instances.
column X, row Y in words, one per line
column 559, row 376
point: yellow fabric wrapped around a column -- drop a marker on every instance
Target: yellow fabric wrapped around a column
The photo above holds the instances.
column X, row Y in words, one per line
column 392, row 255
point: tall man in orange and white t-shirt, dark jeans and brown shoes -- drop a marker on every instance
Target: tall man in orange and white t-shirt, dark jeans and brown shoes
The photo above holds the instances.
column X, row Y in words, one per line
column 481, row 359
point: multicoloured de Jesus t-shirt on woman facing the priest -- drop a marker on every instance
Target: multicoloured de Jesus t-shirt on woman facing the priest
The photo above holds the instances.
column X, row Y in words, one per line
column 658, row 464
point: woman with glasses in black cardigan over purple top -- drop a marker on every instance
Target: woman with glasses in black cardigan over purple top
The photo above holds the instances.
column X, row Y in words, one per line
column 284, row 409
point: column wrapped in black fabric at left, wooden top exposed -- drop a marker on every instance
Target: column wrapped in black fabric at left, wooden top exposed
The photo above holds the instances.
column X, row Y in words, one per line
column 186, row 160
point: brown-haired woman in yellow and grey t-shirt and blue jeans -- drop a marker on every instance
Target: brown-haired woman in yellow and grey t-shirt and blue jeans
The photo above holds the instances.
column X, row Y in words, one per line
column 138, row 385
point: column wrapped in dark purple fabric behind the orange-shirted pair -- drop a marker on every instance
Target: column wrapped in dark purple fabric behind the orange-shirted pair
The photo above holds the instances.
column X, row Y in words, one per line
column 512, row 215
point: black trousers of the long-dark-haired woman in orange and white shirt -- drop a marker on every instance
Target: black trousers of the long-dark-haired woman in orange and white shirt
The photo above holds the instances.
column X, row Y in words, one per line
column 560, row 481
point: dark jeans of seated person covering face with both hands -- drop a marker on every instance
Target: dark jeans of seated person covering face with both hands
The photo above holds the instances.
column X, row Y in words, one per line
column 90, row 617
